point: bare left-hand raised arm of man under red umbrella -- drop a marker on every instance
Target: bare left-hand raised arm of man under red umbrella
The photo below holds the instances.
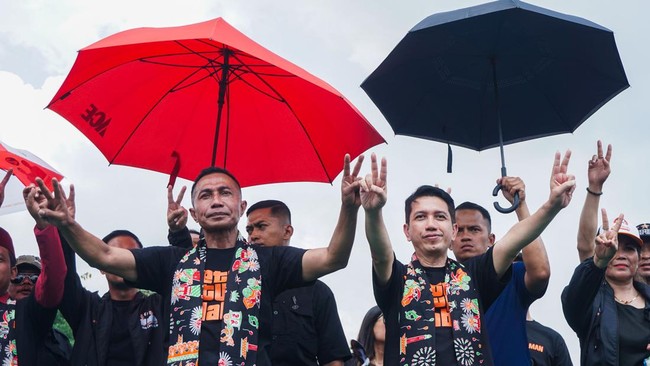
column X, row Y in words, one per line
column 58, row 210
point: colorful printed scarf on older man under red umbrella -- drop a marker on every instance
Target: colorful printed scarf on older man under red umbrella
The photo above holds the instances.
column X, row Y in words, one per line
column 239, row 331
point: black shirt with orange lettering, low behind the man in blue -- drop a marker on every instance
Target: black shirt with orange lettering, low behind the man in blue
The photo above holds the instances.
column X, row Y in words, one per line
column 546, row 346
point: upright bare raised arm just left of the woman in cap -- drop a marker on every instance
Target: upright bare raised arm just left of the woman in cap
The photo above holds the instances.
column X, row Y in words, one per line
column 597, row 172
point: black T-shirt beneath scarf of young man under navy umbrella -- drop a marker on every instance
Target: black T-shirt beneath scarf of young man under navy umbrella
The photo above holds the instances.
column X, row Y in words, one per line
column 389, row 296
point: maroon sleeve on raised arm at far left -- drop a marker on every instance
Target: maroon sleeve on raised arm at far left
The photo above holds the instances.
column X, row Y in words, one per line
column 48, row 290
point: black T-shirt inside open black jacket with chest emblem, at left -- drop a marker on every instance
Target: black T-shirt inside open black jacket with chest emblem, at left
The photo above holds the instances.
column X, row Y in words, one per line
column 120, row 347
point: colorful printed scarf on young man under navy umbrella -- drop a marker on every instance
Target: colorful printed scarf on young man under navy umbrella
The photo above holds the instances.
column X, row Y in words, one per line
column 418, row 343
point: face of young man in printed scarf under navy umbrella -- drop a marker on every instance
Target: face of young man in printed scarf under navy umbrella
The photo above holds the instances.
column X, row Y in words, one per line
column 430, row 228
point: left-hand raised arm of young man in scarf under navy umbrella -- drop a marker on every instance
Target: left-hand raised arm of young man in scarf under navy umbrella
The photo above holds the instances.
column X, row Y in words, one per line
column 373, row 198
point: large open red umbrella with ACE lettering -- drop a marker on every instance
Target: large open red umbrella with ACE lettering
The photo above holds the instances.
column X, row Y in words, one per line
column 178, row 99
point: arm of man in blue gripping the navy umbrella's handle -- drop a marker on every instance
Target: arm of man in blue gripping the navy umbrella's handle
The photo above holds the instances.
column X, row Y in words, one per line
column 538, row 269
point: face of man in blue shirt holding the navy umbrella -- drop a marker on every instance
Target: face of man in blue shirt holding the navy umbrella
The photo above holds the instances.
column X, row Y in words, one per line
column 474, row 237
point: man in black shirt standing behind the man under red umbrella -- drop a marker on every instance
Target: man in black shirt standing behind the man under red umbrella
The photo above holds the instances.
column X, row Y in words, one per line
column 306, row 325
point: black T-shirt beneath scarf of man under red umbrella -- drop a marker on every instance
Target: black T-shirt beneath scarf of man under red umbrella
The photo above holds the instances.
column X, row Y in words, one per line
column 281, row 269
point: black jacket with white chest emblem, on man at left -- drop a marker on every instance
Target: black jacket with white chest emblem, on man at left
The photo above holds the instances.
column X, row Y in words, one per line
column 111, row 332
